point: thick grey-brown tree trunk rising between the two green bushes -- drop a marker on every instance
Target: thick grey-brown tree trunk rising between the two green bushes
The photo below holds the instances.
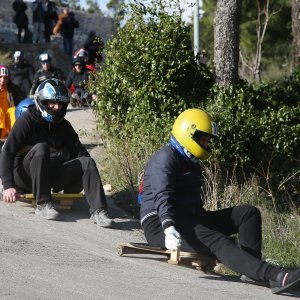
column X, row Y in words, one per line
column 226, row 41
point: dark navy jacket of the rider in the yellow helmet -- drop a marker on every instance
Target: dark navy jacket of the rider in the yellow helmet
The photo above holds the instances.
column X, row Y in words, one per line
column 171, row 188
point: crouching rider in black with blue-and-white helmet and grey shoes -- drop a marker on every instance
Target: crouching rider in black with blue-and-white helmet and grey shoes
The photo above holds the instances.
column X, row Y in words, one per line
column 43, row 151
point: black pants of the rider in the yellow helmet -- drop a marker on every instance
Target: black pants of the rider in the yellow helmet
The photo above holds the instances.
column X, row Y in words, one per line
column 210, row 235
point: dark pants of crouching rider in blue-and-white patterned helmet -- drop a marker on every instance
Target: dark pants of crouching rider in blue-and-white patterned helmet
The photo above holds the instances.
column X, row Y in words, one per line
column 39, row 173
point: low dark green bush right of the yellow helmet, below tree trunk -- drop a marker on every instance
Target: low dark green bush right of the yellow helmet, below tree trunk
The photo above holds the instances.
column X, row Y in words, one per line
column 259, row 130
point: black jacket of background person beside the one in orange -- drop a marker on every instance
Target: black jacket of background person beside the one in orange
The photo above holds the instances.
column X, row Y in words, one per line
column 22, row 76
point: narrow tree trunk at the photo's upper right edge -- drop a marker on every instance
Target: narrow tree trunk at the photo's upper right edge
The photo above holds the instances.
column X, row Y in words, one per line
column 296, row 32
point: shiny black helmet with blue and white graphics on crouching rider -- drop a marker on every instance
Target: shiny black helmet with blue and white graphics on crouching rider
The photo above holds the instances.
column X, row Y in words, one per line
column 54, row 90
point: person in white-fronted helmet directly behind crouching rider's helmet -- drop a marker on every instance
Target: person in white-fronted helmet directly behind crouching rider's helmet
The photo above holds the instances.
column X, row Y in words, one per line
column 46, row 72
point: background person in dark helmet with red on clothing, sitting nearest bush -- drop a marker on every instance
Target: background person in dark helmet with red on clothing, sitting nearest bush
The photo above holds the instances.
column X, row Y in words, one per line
column 76, row 82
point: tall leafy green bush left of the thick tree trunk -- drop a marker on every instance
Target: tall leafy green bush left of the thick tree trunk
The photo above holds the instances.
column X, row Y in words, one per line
column 149, row 76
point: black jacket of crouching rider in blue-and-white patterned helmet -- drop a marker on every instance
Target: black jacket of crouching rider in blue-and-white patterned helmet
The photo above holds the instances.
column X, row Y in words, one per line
column 29, row 130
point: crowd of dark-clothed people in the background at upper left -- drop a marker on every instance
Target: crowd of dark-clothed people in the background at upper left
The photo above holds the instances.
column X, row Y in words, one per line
column 46, row 22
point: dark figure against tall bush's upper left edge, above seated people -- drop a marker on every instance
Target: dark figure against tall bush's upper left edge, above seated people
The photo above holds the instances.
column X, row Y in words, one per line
column 94, row 45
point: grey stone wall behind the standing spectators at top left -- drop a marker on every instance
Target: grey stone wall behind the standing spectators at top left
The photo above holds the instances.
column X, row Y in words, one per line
column 101, row 24
